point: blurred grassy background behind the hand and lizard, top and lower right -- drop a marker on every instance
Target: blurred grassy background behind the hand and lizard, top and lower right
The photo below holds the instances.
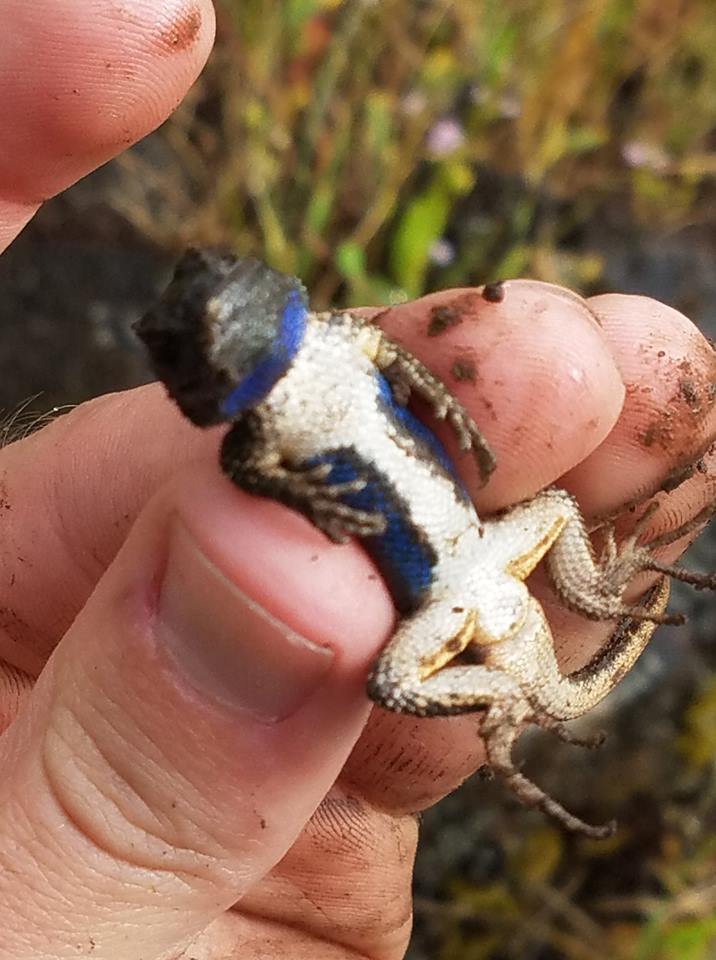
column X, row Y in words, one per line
column 381, row 150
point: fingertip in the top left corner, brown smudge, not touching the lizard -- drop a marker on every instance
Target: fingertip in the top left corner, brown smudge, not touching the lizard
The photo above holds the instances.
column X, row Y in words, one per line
column 83, row 81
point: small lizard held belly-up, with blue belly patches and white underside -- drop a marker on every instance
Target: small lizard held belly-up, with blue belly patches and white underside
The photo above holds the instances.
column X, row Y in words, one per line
column 318, row 407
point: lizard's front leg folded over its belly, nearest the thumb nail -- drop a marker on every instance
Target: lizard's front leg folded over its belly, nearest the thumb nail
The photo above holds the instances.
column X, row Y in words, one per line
column 251, row 458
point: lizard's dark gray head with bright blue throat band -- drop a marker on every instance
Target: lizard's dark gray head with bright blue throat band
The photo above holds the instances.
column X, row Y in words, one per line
column 224, row 331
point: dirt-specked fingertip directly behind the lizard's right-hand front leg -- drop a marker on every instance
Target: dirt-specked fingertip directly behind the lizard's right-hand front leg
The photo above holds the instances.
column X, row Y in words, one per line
column 532, row 368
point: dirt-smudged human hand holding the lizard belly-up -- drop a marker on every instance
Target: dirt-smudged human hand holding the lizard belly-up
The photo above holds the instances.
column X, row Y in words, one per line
column 156, row 800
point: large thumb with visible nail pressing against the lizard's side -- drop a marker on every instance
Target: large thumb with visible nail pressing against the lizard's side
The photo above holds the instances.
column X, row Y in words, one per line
column 180, row 736
